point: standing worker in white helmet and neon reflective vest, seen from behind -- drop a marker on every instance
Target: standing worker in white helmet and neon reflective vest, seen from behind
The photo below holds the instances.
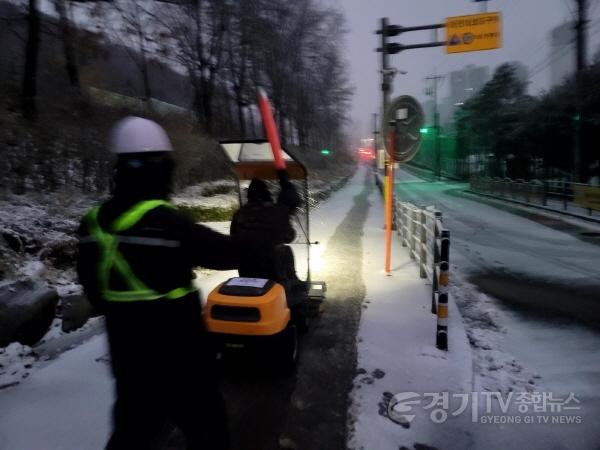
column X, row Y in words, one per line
column 135, row 262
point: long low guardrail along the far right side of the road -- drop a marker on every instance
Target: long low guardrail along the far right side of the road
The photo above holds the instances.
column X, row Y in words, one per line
column 561, row 195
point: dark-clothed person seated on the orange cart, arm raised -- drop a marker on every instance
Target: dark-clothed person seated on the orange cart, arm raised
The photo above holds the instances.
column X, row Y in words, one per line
column 268, row 224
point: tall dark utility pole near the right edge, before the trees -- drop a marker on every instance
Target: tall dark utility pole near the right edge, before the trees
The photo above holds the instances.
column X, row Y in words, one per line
column 580, row 27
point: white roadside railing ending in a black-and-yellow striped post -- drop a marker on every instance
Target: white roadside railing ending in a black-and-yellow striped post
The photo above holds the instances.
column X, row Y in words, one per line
column 422, row 230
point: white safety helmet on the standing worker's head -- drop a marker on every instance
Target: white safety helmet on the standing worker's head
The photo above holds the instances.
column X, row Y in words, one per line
column 137, row 135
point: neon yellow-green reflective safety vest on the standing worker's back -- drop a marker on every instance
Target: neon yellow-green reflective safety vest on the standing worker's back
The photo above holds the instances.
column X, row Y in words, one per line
column 111, row 258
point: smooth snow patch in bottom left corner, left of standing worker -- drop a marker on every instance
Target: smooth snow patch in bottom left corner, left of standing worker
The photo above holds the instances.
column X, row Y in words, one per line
column 65, row 405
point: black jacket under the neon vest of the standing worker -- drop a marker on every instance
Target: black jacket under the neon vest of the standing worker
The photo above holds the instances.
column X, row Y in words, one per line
column 168, row 329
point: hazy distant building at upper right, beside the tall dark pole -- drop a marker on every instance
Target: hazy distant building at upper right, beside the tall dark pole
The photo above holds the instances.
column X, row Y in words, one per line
column 562, row 52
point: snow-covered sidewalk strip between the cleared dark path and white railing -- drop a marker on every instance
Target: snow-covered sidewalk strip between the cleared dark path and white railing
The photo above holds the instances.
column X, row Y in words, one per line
column 397, row 352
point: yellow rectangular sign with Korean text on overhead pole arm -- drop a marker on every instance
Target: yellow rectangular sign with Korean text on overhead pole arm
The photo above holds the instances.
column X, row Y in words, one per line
column 473, row 32
